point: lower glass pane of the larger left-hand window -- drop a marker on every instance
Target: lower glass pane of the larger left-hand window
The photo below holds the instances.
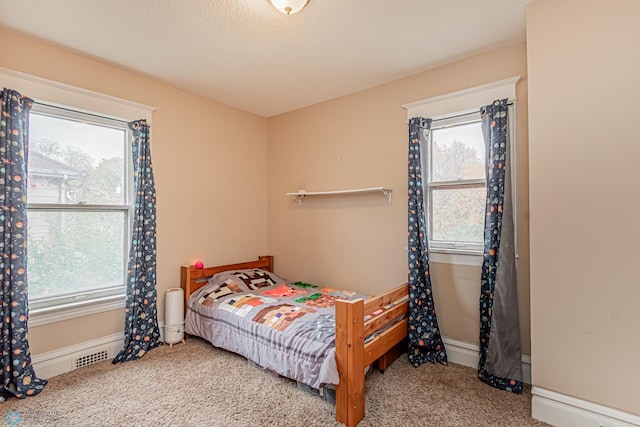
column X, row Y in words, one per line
column 71, row 252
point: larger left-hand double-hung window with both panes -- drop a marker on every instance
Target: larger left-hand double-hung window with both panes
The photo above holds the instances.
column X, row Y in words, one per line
column 78, row 206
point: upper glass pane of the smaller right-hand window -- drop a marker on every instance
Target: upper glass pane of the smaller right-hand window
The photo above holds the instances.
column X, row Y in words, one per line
column 457, row 152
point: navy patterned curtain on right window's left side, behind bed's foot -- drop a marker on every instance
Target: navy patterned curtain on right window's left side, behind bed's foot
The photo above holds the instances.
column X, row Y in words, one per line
column 425, row 342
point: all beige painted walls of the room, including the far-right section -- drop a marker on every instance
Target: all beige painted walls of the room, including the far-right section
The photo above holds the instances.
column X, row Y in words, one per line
column 581, row 68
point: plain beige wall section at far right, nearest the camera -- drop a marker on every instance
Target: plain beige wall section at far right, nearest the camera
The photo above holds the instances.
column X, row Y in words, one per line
column 583, row 89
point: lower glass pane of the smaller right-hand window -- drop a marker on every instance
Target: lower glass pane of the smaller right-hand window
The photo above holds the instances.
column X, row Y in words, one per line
column 457, row 215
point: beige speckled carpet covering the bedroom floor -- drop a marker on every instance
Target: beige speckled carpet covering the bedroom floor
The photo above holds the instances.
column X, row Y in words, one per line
column 194, row 384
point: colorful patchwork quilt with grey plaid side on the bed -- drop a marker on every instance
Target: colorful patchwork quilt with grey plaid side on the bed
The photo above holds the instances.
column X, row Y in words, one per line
column 286, row 327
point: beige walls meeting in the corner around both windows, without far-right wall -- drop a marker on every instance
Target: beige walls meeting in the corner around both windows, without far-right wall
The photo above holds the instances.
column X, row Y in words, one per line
column 210, row 167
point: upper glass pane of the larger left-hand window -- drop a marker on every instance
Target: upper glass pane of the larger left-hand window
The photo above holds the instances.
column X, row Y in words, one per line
column 75, row 162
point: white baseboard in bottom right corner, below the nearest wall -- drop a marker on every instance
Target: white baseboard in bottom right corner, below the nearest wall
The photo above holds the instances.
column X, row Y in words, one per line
column 565, row 411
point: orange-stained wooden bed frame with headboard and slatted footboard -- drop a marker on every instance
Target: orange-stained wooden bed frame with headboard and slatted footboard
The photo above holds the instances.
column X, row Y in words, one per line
column 353, row 355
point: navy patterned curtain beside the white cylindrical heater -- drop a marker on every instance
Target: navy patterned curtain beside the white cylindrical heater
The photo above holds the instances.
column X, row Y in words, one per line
column 141, row 315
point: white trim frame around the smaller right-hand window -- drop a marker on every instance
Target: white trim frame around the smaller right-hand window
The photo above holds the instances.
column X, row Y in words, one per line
column 445, row 108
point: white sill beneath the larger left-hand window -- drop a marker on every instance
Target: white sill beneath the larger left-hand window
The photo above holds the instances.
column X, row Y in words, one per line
column 45, row 316
